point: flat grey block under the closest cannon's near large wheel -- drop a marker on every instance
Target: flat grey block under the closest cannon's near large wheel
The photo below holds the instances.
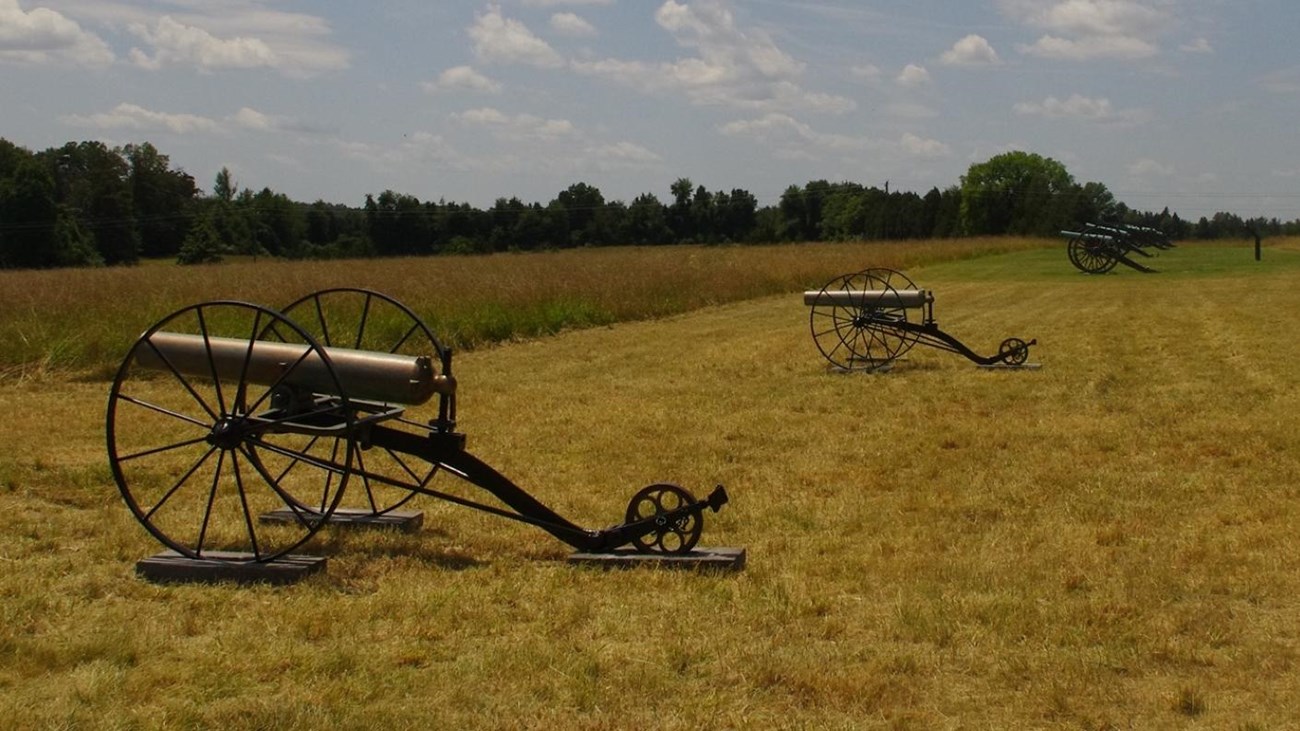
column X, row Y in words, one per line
column 228, row 566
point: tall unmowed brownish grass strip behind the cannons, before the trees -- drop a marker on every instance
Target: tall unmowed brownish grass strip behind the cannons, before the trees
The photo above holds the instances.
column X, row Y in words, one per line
column 85, row 319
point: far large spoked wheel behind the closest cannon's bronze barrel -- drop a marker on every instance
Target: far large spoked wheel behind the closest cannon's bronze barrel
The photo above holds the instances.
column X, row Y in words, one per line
column 363, row 319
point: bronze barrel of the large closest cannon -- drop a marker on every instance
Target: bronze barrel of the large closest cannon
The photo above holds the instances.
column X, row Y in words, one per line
column 362, row 374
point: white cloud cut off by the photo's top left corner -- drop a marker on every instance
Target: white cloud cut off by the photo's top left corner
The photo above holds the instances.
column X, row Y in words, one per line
column 46, row 37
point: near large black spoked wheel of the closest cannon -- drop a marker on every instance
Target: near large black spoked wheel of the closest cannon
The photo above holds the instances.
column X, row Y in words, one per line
column 201, row 449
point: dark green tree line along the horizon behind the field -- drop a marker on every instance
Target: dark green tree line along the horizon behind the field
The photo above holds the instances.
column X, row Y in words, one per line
column 89, row 205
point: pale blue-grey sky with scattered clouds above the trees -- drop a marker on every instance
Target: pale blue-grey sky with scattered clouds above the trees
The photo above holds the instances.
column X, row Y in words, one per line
column 1182, row 105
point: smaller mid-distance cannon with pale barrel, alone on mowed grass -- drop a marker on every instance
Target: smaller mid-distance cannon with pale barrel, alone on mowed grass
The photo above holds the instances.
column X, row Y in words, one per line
column 869, row 319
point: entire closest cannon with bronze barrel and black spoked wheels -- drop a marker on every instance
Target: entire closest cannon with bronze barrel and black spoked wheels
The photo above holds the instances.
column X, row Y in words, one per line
column 236, row 432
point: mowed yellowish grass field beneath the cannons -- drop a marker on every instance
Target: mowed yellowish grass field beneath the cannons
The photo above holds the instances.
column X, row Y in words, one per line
column 1107, row 543
